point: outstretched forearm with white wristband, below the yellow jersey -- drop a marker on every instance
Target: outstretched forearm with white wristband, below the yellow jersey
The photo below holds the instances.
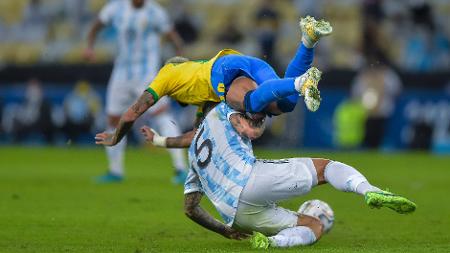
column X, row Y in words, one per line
column 182, row 141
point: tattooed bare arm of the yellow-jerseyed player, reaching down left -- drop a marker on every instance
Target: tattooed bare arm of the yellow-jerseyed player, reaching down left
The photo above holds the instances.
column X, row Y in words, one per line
column 126, row 121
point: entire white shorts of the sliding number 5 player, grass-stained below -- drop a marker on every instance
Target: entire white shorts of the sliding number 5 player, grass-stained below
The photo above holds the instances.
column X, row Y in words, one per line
column 270, row 182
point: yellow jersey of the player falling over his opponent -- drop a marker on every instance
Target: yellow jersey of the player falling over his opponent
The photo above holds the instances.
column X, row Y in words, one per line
column 188, row 82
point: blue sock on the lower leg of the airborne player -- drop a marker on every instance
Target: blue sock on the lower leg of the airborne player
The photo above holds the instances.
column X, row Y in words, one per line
column 268, row 92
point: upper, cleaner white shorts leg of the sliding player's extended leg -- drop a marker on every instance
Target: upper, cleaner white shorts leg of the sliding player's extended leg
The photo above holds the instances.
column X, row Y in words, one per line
column 275, row 180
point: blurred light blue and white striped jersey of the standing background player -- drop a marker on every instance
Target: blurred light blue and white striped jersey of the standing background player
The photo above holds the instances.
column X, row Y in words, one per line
column 138, row 32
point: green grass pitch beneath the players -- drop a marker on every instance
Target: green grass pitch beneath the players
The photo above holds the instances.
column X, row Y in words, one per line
column 49, row 203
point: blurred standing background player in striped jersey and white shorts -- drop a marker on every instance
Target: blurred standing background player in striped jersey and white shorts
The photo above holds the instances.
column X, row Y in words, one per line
column 139, row 25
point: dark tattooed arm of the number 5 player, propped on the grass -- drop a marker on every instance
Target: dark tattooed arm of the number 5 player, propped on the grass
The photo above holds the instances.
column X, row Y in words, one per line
column 193, row 210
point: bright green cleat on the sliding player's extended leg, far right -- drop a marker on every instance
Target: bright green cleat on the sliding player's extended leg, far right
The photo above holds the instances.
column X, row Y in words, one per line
column 387, row 199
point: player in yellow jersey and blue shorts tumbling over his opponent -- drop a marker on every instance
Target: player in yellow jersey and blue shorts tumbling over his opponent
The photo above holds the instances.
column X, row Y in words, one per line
column 246, row 83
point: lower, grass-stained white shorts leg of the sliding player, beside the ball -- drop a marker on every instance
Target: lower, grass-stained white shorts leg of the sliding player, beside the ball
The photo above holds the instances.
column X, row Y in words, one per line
column 268, row 220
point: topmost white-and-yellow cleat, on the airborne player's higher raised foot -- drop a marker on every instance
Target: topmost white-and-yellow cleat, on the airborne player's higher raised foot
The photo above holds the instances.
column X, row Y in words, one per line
column 313, row 30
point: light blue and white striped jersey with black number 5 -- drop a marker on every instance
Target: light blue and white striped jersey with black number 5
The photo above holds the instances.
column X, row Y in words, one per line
column 221, row 162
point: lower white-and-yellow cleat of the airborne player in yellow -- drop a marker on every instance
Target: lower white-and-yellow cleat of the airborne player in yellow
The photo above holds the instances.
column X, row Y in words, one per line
column 306, row 85
